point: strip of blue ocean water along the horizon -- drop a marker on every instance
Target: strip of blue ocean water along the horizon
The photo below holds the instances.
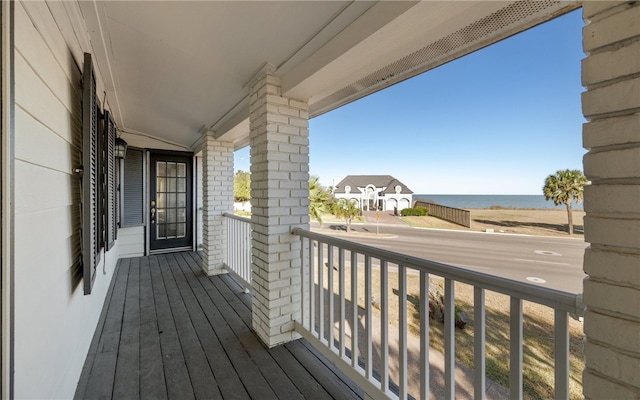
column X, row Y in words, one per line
column 487, row 201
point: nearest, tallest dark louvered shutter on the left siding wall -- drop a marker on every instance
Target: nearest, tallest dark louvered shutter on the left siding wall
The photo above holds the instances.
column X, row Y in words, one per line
column 90, row 176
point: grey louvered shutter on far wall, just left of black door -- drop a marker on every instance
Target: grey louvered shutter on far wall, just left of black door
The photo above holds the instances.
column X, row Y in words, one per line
column 132, row 205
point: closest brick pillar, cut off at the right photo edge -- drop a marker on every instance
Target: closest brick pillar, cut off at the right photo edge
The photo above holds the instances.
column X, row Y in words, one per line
column 611, row 104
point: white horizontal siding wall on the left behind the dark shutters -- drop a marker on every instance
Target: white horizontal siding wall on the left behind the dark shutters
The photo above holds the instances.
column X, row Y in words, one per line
column 54, row 320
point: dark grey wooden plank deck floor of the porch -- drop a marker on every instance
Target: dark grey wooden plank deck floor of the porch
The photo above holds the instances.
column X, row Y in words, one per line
column 167, row 331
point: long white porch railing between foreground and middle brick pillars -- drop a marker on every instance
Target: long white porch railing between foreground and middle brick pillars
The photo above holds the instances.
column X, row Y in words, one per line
column 360, row 345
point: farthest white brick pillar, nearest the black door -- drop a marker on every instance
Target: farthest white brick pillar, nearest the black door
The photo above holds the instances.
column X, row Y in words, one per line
column 217, row 198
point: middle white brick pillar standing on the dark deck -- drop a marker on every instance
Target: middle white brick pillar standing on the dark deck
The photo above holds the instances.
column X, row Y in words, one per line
column 279, row 200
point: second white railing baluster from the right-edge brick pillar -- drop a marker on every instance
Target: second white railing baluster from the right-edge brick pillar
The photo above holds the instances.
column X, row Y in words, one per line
column 515, row 349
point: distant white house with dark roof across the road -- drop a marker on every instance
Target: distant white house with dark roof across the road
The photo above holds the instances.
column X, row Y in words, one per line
column 374, row 192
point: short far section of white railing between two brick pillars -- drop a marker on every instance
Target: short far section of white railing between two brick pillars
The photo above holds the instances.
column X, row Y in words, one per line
column 239, row 248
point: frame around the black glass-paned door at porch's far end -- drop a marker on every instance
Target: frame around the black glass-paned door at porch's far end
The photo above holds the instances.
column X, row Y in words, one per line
column 147, row 208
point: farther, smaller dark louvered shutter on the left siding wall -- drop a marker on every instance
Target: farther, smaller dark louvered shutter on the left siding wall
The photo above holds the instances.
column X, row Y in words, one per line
column 110, row 181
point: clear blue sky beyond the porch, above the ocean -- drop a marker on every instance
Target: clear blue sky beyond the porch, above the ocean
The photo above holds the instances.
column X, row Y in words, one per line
column 497, row 121
